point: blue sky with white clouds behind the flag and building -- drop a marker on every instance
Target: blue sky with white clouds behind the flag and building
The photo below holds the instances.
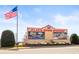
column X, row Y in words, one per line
column 59, row 16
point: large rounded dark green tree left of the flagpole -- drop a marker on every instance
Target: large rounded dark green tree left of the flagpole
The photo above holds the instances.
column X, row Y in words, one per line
column 7, row 39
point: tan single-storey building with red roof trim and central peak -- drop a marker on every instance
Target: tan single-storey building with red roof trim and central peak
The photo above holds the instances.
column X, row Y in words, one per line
column 46, row 35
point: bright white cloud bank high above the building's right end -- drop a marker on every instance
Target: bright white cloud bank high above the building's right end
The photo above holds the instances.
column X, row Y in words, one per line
column 66, row 19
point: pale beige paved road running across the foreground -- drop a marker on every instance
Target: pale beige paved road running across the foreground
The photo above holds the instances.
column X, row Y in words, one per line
column 44, row 50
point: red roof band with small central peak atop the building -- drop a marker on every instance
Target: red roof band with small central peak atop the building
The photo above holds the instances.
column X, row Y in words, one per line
column 45, row 28
